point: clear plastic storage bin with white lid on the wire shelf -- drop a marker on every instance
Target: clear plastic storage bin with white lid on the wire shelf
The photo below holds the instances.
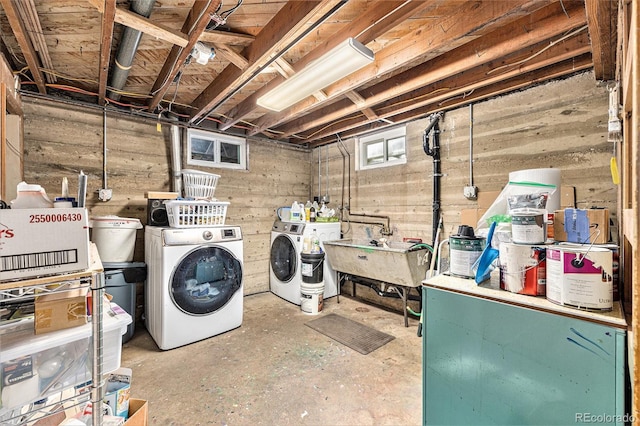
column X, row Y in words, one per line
column 34, row 367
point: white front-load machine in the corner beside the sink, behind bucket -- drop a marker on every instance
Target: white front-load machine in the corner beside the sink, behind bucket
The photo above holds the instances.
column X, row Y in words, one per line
column 284, row 264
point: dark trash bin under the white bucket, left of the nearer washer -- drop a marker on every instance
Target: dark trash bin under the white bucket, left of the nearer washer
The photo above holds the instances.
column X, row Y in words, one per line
column 120, row 280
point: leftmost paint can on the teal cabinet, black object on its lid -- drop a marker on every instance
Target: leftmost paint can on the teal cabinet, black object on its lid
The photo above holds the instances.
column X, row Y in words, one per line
column 464, row 249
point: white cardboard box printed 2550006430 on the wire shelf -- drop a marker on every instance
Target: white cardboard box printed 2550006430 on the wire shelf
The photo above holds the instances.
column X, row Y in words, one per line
column 39, row 242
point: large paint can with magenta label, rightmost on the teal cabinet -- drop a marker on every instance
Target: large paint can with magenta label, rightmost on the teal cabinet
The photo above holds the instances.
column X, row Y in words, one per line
column 580, row 276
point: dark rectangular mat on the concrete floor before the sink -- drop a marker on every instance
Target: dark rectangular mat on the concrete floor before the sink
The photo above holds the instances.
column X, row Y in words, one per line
column 358, row 337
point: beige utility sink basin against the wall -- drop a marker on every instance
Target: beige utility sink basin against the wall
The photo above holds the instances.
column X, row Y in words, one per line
column 398, row 263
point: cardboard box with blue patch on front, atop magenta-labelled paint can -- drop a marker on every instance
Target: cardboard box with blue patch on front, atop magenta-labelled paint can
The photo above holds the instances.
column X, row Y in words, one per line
column 585, row 226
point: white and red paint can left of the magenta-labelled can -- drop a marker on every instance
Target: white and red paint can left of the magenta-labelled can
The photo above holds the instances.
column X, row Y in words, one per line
column 523, row 269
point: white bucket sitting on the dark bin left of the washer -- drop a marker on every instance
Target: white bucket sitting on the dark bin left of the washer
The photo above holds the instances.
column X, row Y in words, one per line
column 114, row 237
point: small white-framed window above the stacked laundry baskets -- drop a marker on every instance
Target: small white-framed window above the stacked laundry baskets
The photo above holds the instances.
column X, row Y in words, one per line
column 211, row 149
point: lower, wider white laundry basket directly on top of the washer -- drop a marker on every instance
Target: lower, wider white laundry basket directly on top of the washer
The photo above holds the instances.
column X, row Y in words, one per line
column 187, row 213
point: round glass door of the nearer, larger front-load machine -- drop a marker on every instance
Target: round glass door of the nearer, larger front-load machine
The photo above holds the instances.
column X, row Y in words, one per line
column 205, row 279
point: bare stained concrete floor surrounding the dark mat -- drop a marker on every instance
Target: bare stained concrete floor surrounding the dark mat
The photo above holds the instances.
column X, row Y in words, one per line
column 274, row 370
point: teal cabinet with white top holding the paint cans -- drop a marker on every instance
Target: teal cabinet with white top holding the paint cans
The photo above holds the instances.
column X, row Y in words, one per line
column 493, row 357
